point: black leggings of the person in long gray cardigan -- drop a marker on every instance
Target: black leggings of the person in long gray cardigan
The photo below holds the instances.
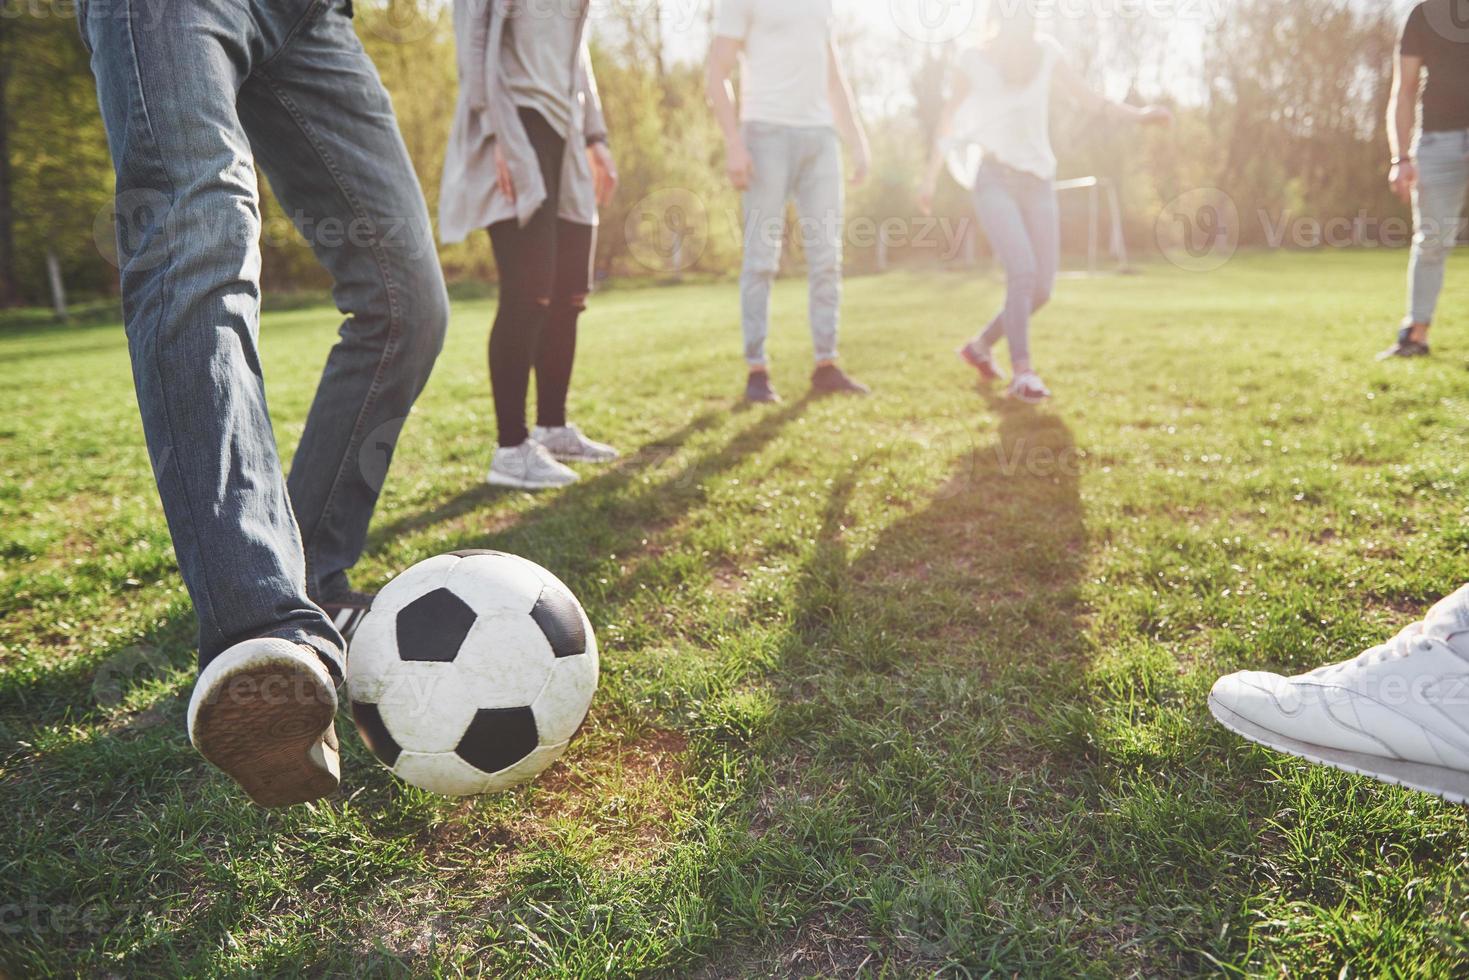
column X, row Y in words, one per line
column 546, row 273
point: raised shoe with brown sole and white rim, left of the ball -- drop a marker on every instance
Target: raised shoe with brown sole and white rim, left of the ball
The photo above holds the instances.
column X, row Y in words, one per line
column 264, row 713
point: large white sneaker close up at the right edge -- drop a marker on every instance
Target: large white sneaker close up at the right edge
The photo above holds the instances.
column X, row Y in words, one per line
column 1398, row 713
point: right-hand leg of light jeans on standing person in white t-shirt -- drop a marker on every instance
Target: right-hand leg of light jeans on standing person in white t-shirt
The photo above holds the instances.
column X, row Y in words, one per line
column 820, row 198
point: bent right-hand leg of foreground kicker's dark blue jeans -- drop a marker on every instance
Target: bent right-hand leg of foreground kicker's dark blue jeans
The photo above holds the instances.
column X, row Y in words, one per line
column 325, row 133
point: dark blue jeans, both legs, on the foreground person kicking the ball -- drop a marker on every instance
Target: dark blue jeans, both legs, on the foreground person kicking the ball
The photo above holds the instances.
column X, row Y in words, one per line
column 193, row 99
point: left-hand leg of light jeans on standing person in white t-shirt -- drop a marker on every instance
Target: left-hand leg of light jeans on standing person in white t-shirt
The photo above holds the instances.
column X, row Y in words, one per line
column 765, row 203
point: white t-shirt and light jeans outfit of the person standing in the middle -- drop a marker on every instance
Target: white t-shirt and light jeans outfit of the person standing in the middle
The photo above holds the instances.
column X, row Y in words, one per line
column 791, row 134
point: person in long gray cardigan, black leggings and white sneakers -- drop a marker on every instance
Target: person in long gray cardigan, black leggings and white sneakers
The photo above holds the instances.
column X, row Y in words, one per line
column 530, row 162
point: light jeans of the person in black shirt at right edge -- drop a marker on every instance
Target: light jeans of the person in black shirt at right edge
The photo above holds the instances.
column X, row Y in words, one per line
column 1443, row 180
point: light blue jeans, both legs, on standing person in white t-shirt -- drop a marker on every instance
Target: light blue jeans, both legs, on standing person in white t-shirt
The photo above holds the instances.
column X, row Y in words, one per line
column 801, row 164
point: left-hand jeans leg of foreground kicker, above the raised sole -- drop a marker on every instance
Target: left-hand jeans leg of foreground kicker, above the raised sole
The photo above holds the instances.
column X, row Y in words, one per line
column 190, row 262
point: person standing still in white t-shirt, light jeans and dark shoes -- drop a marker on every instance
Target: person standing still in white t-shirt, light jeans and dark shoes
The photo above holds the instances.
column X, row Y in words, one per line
column 784, row 143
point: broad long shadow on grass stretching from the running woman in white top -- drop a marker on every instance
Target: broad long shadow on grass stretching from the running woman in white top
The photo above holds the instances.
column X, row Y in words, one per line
column 900, row 744
